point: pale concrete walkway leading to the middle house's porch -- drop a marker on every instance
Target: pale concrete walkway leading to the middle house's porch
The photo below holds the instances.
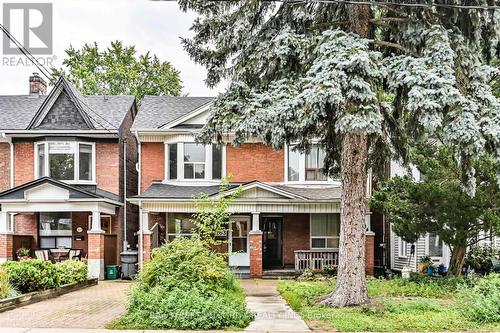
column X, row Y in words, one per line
column 272, row 312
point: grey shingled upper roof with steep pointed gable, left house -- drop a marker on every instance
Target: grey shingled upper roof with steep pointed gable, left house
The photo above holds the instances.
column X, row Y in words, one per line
column 24, row 112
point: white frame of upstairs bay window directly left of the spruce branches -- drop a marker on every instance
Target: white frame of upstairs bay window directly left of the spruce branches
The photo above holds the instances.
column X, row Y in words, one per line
column 180, row 163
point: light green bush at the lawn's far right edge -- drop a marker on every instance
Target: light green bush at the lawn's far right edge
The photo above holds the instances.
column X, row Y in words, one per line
column 482, row 301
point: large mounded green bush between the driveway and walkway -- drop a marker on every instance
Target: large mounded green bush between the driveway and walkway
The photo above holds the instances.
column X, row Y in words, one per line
column 185, row 286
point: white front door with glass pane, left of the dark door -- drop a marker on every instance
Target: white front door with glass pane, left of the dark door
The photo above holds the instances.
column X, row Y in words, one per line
column 238, row 246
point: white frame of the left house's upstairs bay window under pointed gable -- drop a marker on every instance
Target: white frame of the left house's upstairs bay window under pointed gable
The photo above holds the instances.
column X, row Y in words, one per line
column 76, row 151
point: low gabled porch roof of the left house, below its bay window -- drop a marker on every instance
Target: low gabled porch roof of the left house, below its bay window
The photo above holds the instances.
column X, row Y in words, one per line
column 17, row 193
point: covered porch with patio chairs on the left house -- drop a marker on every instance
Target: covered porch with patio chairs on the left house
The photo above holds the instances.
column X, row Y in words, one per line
column 52, row 218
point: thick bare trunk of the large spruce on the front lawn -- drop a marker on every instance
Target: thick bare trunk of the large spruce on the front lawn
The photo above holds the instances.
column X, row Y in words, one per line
column 351, row 281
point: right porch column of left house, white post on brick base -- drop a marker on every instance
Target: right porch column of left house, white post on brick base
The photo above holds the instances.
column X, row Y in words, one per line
column 96, row 247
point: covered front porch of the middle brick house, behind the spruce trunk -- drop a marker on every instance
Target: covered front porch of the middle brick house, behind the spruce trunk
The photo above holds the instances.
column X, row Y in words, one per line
column 272, row 229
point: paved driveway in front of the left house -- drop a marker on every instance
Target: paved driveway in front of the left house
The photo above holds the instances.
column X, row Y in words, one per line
column 91, row 307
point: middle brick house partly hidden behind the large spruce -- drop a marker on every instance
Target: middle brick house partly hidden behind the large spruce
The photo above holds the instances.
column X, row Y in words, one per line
column 287, row 218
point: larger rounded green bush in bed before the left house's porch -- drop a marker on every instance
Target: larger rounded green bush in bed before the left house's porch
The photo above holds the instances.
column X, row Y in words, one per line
column 32, row 275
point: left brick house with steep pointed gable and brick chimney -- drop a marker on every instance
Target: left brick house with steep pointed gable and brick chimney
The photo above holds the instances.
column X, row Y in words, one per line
column 67, row 163
